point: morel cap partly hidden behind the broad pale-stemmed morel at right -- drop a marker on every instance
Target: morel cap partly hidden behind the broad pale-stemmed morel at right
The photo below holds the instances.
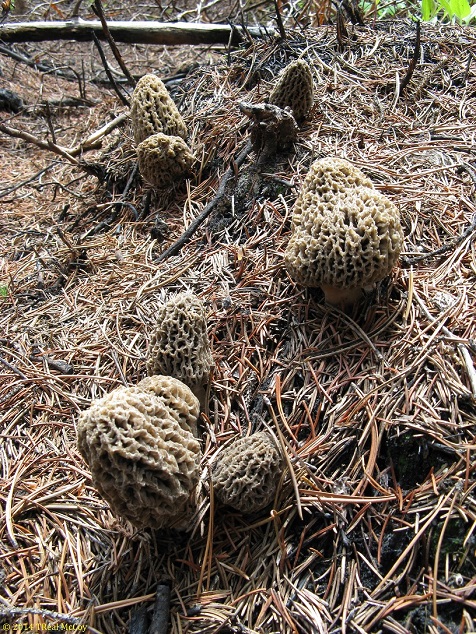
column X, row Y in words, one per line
column 326, row 178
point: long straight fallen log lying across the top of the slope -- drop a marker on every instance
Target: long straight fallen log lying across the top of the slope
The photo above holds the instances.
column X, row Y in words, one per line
column 136, row 32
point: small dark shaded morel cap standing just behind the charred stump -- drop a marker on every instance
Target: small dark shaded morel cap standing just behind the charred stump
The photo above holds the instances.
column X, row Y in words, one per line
column 294, row 89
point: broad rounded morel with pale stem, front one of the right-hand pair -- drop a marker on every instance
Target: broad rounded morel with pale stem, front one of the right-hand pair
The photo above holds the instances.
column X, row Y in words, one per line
column 345, row 243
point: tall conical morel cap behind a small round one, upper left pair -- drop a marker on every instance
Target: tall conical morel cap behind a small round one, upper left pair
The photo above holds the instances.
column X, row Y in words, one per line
column 153, row 110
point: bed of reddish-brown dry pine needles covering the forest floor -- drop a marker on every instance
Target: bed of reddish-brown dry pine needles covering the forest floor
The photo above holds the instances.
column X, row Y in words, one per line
column 373, row 528
